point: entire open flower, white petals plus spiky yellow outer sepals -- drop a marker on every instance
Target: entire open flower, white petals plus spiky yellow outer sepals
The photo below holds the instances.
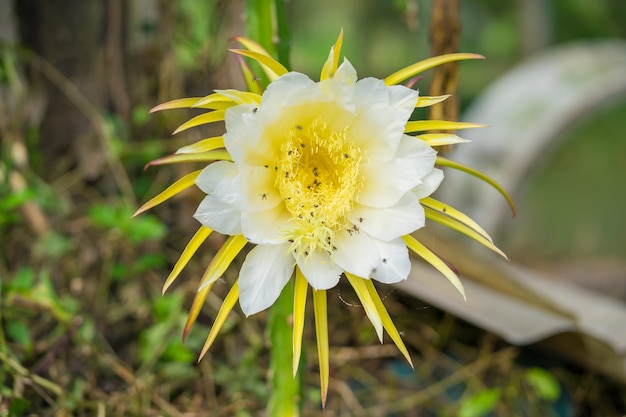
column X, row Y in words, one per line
column 351, row 181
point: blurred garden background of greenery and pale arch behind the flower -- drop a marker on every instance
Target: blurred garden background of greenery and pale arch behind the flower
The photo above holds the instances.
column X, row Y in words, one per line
column 85, row 330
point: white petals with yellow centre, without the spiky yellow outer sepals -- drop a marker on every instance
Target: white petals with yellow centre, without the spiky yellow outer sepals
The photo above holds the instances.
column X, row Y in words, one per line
column 323, row 177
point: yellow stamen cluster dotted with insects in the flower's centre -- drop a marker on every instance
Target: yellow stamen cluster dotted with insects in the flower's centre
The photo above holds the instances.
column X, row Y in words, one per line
column 318, row 178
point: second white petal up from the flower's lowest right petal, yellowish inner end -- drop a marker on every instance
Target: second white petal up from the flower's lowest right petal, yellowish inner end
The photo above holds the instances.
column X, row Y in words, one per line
column 384, row 183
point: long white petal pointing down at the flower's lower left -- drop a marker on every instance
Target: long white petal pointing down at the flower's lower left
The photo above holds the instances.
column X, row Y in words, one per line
column 263, row 275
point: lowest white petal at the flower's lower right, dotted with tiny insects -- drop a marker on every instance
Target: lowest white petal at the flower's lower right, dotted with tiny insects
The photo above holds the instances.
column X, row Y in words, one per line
column 393, row 263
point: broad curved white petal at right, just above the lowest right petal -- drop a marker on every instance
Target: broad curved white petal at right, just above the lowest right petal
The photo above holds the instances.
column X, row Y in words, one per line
column 399, row 219
